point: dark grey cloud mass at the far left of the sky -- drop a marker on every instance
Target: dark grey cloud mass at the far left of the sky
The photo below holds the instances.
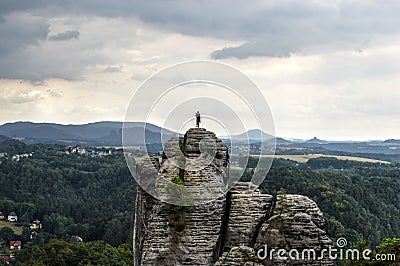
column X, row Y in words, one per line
column 23, row 54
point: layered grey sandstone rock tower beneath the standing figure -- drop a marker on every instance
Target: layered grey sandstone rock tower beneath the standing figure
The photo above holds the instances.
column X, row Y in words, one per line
column 227, row 231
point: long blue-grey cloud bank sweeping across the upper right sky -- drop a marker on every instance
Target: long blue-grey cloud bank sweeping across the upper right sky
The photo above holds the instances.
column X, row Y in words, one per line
column 283, row 27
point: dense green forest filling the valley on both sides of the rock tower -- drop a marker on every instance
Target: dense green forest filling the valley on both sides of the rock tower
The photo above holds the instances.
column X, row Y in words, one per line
column 92, row 197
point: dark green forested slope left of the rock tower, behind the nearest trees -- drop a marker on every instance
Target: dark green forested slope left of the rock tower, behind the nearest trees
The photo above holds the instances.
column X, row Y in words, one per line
column 72, row 194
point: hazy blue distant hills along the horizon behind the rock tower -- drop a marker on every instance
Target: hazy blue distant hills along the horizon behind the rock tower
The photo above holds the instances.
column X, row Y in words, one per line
column 110, row 134
